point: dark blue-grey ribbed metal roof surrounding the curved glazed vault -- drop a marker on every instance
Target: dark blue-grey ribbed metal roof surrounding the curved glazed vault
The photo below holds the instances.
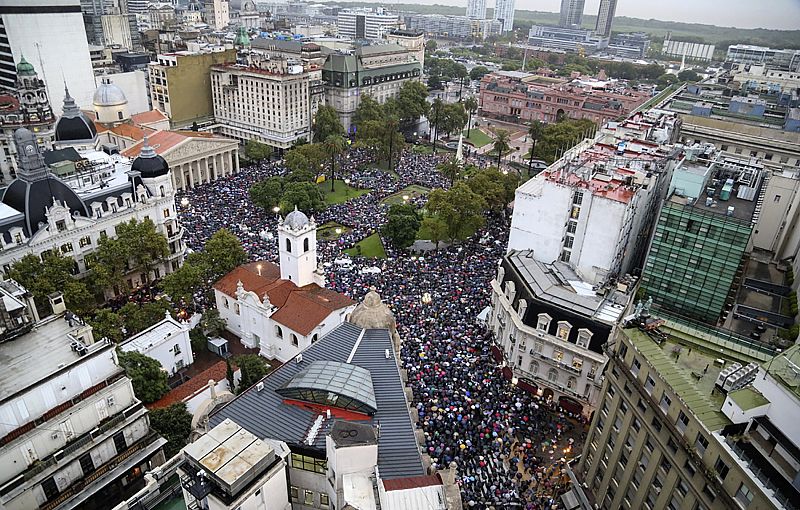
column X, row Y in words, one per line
column 265, row 414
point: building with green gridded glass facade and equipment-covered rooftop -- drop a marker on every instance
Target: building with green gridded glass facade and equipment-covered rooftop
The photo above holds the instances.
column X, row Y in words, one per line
column 702, row 234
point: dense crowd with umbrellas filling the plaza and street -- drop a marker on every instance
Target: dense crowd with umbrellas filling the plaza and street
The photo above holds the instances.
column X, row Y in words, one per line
column 508, row 445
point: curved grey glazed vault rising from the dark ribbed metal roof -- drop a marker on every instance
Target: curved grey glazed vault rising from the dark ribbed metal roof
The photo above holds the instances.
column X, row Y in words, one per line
column 335, row 384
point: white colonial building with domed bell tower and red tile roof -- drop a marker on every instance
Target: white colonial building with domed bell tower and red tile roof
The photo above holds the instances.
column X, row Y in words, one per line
column 282, row 309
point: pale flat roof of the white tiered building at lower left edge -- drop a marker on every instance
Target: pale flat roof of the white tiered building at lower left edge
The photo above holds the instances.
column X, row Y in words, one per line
column 40, row 353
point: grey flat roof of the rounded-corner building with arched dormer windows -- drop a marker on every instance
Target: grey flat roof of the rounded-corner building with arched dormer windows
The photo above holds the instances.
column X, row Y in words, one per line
column 558, row 284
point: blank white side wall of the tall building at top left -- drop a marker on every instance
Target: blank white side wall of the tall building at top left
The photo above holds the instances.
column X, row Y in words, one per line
column 57, row 47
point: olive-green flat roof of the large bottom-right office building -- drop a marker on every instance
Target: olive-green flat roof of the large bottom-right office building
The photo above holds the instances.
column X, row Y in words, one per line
column 685, row 372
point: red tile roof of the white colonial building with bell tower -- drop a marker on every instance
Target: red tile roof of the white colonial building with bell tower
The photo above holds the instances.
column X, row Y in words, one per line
column 299, row 308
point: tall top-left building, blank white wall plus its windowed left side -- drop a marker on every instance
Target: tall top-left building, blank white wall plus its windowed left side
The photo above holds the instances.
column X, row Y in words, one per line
column 27, row 28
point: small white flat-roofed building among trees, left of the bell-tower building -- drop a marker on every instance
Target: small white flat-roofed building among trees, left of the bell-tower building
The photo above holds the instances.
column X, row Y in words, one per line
column 167, row 342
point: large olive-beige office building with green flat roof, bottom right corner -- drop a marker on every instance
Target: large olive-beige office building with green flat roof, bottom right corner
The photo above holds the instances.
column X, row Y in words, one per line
column 673, row 434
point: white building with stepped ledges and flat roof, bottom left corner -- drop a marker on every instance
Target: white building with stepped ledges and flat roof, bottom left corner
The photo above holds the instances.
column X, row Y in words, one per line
column 74, row 435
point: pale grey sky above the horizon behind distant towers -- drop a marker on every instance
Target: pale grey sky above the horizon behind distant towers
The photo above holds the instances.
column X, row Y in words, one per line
column 778, row 14
